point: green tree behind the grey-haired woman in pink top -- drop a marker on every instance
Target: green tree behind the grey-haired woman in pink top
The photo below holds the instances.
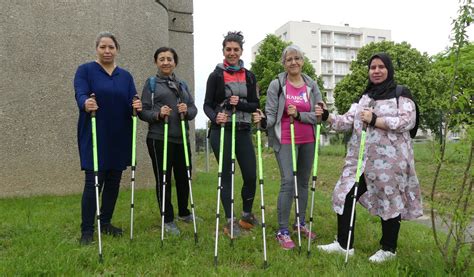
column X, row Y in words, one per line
column 268, row 65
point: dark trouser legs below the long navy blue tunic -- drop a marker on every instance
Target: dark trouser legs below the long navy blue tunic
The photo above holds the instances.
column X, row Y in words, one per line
column 109, row 182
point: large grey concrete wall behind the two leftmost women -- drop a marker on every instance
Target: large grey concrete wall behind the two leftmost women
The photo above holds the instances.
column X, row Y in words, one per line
column 42, row 43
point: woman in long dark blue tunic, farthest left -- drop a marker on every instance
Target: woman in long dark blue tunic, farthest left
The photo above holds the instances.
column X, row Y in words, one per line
column 114, row 90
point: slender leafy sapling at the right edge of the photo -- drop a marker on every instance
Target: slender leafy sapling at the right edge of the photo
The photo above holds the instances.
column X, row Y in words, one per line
column 457, row 247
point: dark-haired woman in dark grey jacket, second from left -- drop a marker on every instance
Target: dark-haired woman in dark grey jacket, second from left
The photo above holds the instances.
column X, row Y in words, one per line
column 168, row 97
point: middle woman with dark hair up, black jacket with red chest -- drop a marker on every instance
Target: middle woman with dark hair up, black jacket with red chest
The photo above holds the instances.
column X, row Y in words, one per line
column 230, row 86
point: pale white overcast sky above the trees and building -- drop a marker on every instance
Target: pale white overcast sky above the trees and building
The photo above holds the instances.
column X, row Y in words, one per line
column 425, row 24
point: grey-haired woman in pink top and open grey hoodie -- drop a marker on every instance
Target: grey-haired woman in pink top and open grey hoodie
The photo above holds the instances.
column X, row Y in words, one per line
column 292, row 94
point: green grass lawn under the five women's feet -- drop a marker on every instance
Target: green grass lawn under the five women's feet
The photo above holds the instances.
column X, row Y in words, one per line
column 39, row 236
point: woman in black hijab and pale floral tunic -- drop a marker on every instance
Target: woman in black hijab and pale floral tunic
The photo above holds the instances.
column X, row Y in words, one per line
column 388, row 186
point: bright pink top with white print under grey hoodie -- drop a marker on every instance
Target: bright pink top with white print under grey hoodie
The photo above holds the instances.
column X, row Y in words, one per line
column 304, row 133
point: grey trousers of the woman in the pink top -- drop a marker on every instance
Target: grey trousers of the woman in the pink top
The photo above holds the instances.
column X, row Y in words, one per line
column 304, row 161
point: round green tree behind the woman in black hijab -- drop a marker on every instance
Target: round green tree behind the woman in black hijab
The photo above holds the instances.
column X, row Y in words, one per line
column 412, row 69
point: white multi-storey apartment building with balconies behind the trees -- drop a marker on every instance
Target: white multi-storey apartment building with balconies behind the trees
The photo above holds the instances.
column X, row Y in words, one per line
column 330, row 49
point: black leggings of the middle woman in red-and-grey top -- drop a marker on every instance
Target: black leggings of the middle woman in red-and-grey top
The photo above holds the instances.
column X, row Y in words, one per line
column 245, row 155
